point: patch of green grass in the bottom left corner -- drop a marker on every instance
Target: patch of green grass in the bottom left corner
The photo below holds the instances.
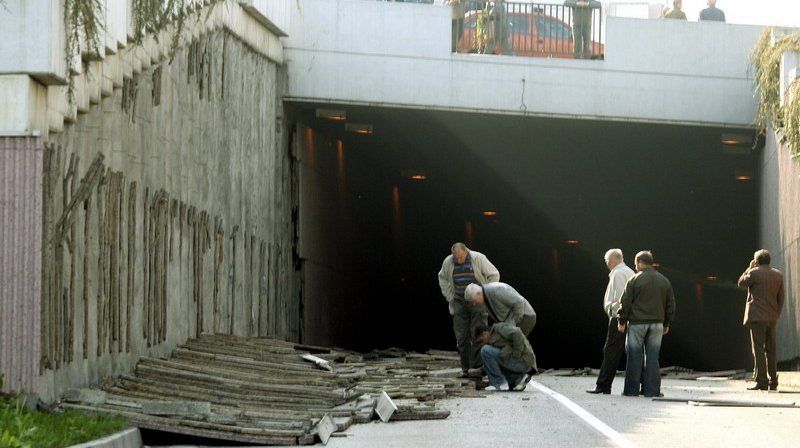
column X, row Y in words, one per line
column 20, row 428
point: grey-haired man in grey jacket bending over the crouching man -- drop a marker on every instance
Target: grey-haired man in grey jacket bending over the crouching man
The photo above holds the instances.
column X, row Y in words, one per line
column 504, row 304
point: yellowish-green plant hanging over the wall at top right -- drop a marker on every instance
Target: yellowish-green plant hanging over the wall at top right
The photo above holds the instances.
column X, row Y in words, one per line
column 765, row 59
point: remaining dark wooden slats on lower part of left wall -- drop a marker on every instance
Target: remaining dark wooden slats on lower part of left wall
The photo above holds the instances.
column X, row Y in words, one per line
column 110, row 248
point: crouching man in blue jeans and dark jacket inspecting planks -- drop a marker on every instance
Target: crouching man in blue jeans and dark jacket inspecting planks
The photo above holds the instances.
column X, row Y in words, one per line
column 508, row 358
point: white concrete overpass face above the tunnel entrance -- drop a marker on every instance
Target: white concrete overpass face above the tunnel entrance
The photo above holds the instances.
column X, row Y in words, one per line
column 398, row 55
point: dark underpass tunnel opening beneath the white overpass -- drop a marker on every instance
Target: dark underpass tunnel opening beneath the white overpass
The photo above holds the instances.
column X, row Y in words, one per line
column 385, row 192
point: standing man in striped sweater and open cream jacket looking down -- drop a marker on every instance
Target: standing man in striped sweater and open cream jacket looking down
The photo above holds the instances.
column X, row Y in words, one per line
column 459, row 269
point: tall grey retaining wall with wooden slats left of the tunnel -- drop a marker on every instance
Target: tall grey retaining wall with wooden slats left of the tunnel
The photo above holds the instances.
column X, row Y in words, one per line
column 167, row 213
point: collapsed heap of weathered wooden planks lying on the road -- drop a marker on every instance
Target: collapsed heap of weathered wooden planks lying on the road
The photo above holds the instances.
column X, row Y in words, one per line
column 262, row 391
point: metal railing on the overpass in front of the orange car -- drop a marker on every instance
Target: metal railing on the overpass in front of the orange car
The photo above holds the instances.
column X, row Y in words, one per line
column 569, row 30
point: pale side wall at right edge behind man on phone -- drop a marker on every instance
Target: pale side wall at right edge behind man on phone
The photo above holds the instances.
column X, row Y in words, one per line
column 780, row 232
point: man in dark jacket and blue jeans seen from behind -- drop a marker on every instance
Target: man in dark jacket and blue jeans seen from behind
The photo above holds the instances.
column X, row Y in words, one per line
column 648, row 309
